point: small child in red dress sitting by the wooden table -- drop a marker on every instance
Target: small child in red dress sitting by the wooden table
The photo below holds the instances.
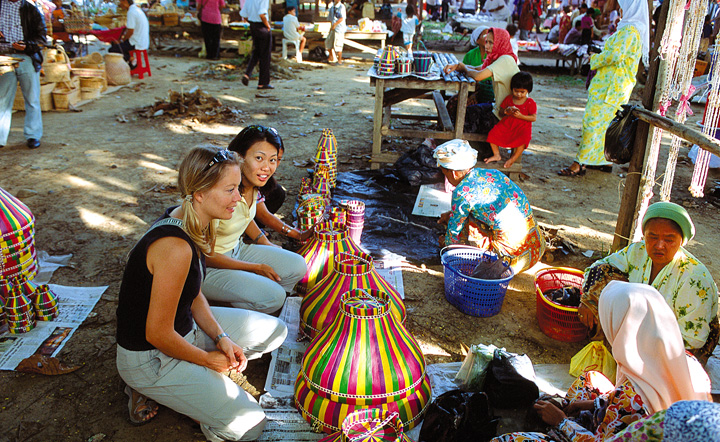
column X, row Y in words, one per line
column 515, row 129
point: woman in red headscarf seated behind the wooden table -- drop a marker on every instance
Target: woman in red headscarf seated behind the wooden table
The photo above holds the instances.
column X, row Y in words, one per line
column 500, row 65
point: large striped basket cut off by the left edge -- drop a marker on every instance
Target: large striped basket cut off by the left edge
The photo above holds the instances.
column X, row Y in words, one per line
column 17, row 240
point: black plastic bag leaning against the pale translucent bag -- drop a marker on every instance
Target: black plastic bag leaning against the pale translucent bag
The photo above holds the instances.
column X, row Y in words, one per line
column 505, row 386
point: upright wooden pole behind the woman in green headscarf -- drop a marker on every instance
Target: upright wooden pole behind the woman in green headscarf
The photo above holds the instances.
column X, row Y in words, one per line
column 629, row 201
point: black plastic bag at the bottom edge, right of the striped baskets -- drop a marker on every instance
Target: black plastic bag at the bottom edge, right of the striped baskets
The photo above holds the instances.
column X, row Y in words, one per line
column 457, row 416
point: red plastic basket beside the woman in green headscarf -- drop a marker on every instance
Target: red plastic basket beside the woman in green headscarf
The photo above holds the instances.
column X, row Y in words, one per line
column 556, row 320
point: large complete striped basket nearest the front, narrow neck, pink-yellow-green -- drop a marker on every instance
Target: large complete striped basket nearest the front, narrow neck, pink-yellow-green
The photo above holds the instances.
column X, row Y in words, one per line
column 364, row 358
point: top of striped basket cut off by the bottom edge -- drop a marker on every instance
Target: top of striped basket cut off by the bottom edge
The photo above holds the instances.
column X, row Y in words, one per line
column 370, row 425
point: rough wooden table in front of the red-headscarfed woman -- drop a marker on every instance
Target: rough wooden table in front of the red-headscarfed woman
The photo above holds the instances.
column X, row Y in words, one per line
column 390, row 91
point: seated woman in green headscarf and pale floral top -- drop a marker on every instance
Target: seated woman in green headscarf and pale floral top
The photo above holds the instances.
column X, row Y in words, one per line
column 660, row 260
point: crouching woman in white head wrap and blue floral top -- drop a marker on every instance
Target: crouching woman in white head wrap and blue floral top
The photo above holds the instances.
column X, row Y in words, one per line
column 488, row 210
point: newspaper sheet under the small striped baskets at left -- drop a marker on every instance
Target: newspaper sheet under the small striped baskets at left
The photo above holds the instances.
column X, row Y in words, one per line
column 49, row 337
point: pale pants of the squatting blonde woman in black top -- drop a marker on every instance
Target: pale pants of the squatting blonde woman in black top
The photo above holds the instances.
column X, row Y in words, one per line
column 225, row 411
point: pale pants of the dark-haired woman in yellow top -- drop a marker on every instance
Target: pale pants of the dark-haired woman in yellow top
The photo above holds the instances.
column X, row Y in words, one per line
column 250, row 291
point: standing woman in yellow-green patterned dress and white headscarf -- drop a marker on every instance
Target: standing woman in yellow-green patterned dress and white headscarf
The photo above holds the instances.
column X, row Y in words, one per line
column 612, row 85
